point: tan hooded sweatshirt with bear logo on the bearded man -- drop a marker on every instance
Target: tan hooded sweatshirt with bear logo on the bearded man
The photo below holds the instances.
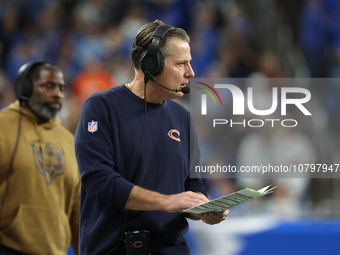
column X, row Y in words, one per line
column 41, row 205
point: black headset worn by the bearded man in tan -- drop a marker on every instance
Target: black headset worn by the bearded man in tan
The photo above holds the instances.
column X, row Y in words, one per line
column 23, row 85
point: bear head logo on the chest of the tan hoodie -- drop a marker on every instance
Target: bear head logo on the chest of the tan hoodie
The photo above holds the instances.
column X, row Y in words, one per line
column 48, row 159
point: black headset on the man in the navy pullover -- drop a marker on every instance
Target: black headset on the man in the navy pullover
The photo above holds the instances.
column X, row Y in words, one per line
column 152, row 60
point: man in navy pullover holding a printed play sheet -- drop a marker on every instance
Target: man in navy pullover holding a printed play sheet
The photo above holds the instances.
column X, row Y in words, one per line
column 135, row 167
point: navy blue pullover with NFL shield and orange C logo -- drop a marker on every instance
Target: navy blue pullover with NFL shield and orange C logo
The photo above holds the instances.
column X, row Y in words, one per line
column 109, row 169
